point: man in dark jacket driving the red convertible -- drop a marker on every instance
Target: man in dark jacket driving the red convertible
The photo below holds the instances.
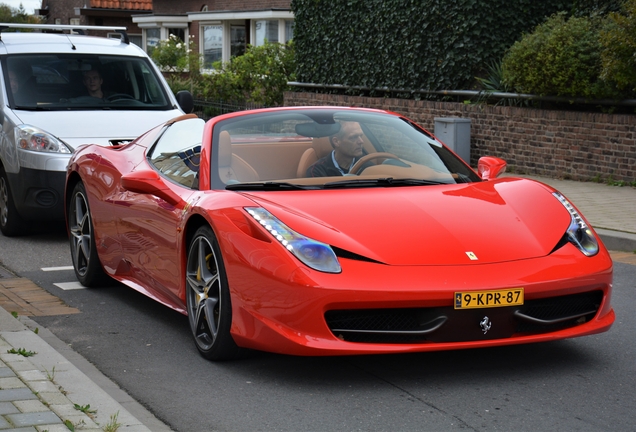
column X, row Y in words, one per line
column 347, row 150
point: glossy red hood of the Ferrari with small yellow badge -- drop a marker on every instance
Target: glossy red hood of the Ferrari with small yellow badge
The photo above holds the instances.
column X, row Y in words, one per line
column 502, row 220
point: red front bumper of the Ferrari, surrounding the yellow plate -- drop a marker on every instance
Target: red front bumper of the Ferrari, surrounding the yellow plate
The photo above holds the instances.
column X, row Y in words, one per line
column 292, row 311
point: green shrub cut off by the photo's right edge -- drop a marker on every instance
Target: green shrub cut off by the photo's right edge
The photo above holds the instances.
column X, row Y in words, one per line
column 618, row 38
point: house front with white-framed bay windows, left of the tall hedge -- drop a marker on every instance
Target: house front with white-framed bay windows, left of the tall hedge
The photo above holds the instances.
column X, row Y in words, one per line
column 219, row 28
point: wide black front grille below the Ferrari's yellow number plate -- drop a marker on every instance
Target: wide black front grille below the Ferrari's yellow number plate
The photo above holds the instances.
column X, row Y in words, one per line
column 446, row 324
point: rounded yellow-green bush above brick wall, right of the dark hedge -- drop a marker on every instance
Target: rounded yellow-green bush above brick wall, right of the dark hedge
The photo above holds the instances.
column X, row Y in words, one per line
column 562, row 57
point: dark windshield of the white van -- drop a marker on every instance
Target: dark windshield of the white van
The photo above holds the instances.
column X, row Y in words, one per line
column 81, row 82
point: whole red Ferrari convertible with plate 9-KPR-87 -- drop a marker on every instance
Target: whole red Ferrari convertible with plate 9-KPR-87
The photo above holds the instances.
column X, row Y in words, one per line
column 327, row 231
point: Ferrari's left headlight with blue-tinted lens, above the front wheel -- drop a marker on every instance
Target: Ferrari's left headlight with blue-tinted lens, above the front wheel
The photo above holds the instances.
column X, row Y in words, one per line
column 317, row 255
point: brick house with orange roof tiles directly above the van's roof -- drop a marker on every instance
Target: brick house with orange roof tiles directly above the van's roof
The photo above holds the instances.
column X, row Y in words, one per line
column 97, row 12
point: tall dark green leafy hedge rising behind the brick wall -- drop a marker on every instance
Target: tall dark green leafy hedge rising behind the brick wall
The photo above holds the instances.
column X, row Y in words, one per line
column 416, row 44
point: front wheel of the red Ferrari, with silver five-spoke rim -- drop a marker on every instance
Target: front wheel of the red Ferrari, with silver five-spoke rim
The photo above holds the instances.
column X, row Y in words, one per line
column 208, row 298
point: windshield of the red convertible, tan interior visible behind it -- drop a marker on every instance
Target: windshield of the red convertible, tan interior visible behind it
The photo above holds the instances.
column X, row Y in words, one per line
column 329, row 148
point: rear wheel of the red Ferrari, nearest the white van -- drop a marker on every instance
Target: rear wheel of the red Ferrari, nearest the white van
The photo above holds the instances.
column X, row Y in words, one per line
column 86, row 263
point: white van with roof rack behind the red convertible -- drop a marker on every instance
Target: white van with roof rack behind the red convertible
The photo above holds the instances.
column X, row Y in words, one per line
column 59, row 91
